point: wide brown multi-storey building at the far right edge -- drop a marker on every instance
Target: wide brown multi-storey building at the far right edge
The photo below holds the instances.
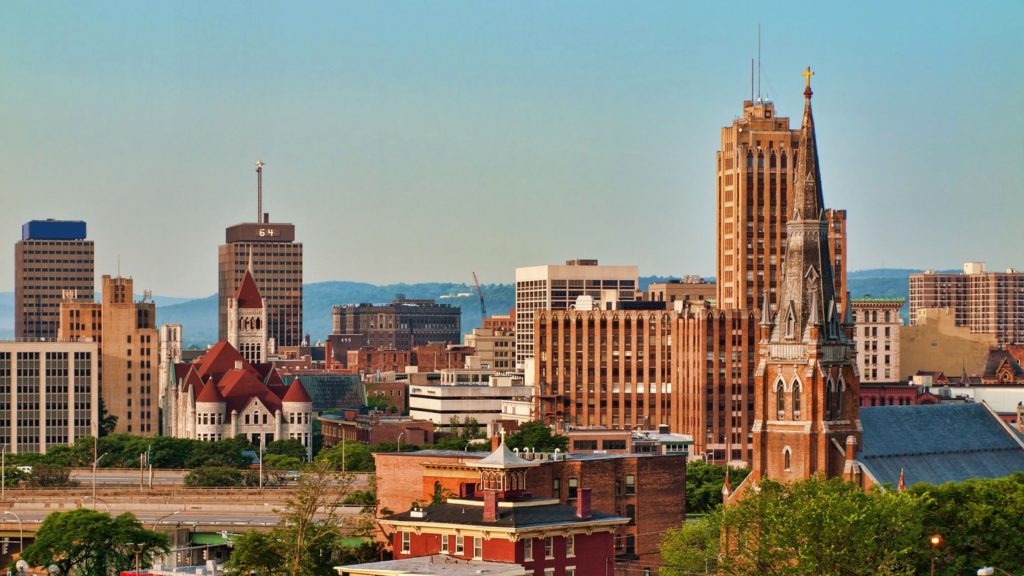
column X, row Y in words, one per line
column 988, row 303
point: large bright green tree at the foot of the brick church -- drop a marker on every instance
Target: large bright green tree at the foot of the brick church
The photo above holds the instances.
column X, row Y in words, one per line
column 805, row 528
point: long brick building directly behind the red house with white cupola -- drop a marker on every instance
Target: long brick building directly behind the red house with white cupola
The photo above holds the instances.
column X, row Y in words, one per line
column 648, row 488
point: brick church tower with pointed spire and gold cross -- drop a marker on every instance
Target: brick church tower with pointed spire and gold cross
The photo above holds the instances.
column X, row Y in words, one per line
column 806, row 392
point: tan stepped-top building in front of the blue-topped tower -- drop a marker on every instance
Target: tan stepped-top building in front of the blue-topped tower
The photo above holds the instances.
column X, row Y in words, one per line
column 130, row 352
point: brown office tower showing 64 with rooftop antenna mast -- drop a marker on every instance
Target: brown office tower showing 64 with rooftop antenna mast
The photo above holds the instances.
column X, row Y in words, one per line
column 277, row 267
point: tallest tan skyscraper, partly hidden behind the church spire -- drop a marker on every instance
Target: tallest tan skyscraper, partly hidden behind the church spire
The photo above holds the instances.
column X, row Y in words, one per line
column 756, row 172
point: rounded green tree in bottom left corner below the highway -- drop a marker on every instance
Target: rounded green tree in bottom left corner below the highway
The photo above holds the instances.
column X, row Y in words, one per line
column 87, row 543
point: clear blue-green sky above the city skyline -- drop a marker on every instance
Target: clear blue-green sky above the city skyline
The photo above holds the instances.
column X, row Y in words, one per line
column 422, row 141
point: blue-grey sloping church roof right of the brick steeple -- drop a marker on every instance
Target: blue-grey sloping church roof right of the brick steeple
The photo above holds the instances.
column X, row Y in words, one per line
column 937, row 444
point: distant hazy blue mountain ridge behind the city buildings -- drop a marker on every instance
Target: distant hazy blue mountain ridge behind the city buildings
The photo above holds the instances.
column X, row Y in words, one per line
column 199, row 316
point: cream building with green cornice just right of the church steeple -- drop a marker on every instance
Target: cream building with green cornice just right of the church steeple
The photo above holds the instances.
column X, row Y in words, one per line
column 878, row 327
